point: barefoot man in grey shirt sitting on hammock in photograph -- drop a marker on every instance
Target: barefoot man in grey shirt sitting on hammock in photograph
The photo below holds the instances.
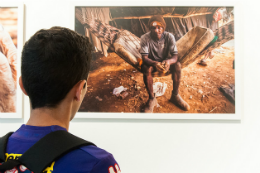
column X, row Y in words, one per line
column 159, row 53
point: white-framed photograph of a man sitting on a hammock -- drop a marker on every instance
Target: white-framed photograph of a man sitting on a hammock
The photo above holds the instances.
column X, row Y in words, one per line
column 168, row 62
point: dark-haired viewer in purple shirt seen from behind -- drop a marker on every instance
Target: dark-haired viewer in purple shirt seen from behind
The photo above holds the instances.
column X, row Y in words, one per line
column 55, row 68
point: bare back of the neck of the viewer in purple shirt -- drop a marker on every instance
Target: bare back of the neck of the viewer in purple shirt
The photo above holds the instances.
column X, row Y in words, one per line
column 50, row 116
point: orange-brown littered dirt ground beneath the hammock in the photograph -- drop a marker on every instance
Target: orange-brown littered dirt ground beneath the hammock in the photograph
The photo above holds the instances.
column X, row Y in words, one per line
column 199, row 86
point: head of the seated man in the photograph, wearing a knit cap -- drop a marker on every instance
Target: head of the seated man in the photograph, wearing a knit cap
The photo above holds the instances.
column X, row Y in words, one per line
column 157, row 26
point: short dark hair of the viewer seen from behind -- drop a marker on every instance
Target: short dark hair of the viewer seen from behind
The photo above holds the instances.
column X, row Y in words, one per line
column 53, row 61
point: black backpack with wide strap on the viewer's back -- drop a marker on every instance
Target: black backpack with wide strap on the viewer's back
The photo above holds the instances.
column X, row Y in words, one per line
column 41, row 154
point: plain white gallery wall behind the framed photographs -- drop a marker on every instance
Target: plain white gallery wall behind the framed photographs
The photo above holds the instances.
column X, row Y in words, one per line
column 181, row 146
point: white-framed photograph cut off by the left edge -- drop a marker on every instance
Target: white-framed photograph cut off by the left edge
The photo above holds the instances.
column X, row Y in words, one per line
column 11, row 42
